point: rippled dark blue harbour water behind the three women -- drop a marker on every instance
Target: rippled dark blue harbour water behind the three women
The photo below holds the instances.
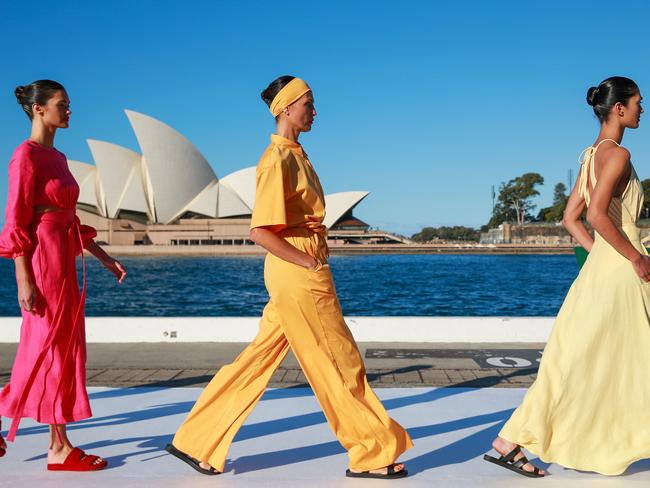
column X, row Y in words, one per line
column 367, row 285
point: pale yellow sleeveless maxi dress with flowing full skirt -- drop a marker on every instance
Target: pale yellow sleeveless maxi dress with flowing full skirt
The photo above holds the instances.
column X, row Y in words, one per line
column 589, row 408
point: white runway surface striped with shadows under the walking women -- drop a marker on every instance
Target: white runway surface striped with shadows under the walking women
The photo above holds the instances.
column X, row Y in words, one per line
column 287, row 443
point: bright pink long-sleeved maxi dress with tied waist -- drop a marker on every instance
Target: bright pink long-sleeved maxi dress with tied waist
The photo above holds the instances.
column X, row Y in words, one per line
column 48, row 379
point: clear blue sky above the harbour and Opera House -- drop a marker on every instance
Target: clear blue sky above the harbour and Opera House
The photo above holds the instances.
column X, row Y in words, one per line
column 424, row 104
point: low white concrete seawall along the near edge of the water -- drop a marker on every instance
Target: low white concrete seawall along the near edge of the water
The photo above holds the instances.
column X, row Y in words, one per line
column 365, row 329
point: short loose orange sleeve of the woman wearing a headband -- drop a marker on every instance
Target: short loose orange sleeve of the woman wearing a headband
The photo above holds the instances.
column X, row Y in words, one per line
column 270, row 209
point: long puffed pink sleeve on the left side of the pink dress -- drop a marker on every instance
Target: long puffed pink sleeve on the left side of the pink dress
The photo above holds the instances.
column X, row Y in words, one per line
column 15, row 237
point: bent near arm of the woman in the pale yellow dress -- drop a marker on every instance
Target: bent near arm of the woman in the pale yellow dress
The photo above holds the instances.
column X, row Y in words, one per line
column 612, row 173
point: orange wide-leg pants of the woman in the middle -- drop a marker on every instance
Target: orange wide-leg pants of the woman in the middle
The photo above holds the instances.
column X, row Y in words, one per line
column 303, row 314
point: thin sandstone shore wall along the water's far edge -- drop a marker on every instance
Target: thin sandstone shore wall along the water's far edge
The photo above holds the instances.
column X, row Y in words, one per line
column 351, row 249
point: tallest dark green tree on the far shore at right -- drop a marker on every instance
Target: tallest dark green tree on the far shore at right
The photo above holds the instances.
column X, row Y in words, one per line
column 515, row 199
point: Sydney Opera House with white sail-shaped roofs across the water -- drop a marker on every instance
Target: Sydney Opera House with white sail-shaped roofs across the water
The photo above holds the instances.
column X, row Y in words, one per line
column 169, row 194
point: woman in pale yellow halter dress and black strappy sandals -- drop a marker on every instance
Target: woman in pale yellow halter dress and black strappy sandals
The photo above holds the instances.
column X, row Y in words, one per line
column 589, row 408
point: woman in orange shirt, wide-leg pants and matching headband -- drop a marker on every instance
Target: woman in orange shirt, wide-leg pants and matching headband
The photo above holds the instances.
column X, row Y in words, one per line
column 303, row 314
